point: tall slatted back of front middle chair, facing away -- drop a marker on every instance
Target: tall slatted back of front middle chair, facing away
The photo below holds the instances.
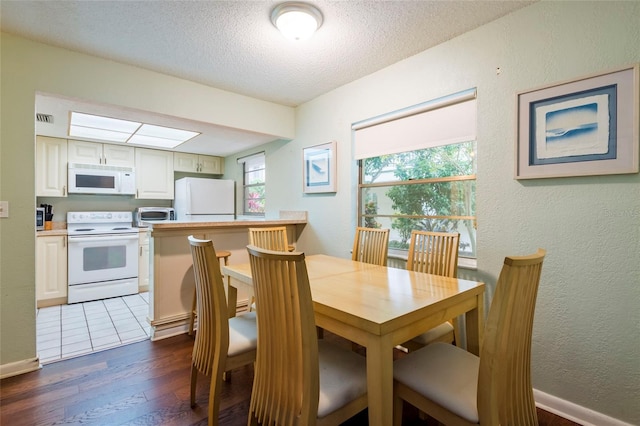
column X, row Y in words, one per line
column 286, row 380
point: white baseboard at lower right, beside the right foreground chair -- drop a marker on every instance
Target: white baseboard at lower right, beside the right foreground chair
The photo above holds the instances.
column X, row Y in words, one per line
column 574, row 412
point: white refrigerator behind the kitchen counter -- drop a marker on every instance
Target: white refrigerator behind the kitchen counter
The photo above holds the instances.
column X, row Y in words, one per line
column 204, row 200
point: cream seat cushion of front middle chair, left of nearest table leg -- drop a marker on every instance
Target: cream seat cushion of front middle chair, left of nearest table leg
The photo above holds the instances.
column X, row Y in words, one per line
column 343, row 377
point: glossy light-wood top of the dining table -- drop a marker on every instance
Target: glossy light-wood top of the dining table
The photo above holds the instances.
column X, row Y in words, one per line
column 379, row 298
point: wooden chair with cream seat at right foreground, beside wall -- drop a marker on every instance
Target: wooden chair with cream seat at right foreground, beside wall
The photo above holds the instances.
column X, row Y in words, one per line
column 458, row 388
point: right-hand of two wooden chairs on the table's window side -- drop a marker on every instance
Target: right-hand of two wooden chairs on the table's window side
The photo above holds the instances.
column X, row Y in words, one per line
column 434, row 253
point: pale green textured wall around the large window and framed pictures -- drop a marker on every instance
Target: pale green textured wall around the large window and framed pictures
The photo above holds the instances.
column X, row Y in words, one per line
column 586, row 343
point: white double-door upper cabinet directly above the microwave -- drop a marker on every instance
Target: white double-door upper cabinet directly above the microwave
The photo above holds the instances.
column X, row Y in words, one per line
column 99, row 153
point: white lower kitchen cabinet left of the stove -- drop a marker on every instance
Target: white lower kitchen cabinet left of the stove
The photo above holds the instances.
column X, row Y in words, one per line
column 51, row 270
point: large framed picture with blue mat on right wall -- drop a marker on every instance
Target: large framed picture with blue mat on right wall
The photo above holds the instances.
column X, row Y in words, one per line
column 583, row 127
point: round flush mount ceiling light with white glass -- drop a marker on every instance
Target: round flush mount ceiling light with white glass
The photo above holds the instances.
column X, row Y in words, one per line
column 295, row 20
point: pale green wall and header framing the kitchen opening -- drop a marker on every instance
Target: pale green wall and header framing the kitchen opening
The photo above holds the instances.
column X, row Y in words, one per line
column 28, row 67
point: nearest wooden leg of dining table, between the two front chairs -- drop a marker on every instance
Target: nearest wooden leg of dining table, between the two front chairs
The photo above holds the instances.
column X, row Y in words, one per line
column 380, row 380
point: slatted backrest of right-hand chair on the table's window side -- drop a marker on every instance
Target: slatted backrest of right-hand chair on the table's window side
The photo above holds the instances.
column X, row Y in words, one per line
column 434, row 253
